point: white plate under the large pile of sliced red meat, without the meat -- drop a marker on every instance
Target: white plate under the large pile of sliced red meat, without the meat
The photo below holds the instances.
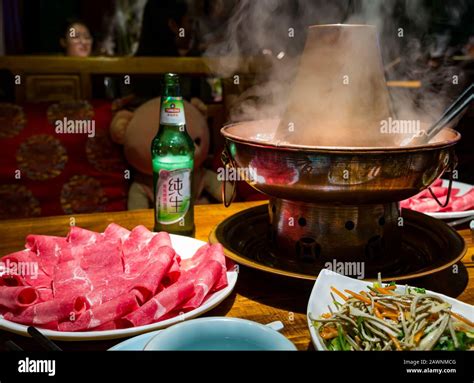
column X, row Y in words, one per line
column 185, row 247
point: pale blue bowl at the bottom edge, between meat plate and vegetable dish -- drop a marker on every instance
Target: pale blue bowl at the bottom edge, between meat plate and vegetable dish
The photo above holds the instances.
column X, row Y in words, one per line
column 219, row 333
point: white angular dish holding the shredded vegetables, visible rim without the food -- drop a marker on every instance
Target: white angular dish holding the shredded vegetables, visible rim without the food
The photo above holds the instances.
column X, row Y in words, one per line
column 320, row 299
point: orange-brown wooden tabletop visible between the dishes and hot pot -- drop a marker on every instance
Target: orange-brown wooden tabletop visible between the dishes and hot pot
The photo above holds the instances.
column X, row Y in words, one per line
column 257, row 296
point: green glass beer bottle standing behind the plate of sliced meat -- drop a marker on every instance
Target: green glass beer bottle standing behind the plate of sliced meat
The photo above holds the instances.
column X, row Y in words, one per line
column 172, row 153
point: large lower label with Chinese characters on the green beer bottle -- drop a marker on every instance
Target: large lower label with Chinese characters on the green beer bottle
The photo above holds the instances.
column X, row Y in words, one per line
column 173, row 195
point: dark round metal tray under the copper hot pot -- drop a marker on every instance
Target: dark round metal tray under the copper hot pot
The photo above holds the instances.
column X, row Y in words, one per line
column 427, row 246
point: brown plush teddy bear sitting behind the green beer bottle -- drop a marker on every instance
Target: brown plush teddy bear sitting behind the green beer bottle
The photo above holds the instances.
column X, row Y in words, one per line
column 135, row 131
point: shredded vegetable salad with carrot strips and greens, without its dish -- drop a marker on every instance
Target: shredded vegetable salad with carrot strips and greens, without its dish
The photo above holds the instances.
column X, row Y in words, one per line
column 383, row 318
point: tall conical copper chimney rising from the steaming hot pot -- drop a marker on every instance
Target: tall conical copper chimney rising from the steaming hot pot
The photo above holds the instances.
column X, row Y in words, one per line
column 339, row 94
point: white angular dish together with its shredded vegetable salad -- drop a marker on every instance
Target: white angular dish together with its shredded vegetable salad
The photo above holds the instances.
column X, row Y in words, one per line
column 346, row 314
